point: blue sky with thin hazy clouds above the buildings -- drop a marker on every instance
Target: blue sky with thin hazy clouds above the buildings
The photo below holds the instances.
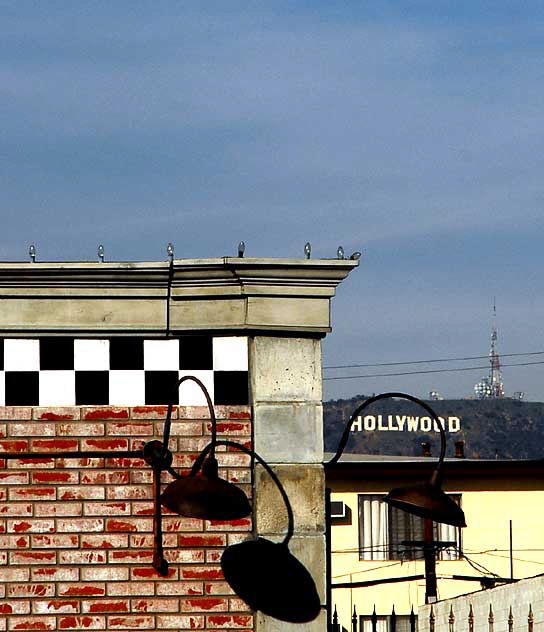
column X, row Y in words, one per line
column 410, row 131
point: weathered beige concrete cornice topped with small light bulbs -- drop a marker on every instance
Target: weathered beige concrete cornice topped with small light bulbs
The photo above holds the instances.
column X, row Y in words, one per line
column 228, row 294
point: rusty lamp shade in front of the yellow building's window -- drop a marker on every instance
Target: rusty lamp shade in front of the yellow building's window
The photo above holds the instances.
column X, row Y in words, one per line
column 427, row 501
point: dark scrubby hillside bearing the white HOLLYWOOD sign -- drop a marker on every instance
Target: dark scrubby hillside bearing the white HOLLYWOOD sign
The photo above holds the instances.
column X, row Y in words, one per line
column 506, row 429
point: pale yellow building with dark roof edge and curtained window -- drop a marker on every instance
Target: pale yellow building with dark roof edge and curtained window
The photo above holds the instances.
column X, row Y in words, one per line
column 502, row 501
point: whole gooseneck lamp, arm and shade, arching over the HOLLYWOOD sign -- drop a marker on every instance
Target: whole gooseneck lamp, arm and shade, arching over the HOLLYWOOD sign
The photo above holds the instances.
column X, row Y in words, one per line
column 426, row 500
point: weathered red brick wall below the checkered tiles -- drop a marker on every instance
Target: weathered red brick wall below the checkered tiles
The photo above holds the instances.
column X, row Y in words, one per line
column 76, row 534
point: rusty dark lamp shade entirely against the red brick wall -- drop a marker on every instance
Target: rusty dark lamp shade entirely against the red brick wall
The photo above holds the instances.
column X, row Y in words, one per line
column 206, row 496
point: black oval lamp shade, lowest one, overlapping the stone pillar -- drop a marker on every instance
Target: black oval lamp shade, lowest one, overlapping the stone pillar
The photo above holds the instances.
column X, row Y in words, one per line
column 269, row 578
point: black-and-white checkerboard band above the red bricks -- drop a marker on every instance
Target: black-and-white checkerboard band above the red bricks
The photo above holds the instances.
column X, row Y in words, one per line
column 62, row 371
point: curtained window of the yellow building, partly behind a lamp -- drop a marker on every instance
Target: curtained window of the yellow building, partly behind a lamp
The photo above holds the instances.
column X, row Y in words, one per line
column 384, row 530
